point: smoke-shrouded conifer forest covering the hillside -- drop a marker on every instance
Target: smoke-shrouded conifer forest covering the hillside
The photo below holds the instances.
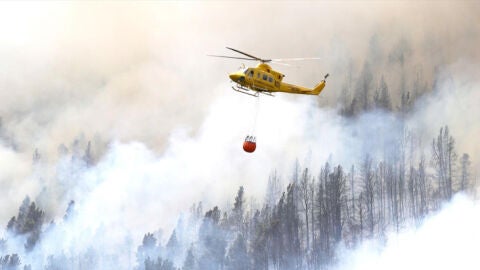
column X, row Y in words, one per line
column 303, row 221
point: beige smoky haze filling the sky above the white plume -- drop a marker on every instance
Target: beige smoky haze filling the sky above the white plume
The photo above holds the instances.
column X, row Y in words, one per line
column 129, row 71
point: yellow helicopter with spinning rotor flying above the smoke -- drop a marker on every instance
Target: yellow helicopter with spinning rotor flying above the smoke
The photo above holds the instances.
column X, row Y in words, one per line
column 263, row 79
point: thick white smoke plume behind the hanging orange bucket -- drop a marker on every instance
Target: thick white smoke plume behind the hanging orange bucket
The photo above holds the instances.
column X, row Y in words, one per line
column 133, row 190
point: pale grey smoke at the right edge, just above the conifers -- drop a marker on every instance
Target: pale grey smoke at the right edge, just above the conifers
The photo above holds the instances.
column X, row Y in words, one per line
column 454, row 102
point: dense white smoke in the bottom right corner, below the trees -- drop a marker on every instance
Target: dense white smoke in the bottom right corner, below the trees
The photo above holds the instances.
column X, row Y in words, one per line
column 445, row 240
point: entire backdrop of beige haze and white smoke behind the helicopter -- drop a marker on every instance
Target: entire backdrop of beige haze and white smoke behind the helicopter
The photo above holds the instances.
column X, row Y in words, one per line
column 166, row 131
